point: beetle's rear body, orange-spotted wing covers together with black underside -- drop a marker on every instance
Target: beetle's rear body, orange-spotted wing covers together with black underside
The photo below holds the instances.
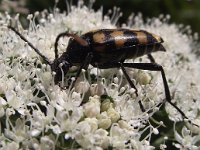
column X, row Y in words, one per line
column 119, row 44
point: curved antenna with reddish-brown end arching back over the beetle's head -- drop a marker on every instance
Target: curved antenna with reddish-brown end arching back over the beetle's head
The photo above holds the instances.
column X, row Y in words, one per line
column 78, row 39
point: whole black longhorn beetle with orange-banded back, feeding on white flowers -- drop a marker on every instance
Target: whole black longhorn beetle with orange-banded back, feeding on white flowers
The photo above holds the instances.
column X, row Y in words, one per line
column 107, row 48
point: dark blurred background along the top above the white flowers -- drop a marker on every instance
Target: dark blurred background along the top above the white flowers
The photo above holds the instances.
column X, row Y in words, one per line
column 185, row 12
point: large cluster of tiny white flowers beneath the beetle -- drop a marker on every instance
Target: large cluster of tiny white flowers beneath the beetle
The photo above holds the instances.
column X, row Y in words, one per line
column 97, row 113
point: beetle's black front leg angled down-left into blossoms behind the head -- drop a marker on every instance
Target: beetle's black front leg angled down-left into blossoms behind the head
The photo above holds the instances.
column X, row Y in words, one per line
column 85, row 65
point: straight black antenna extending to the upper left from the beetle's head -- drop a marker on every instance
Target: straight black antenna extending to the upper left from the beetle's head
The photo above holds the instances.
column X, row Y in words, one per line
column 46, row 60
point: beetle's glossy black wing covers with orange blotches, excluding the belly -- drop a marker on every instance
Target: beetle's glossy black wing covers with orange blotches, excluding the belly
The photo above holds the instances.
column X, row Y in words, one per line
column 120, row 38
